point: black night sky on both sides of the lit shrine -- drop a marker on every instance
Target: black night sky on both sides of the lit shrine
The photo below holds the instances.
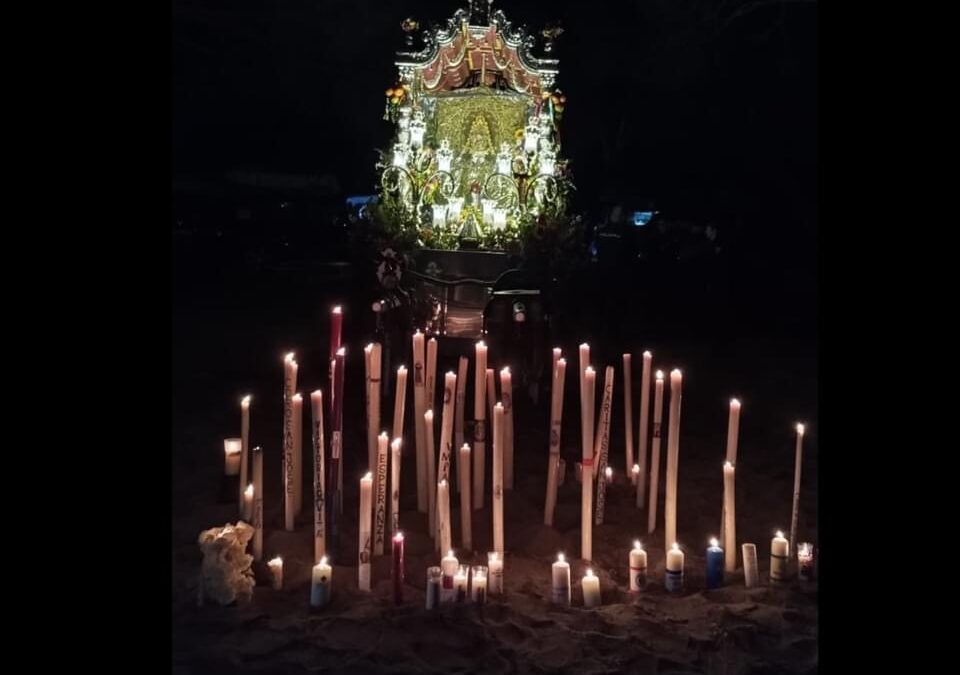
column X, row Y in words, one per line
column 699, row 104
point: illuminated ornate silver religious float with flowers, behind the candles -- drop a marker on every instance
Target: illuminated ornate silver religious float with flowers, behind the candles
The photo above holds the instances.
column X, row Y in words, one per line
column 473, row 186
